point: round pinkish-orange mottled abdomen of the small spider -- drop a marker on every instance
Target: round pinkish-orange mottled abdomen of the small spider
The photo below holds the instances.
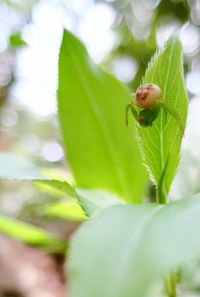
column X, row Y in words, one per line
column 147, row 95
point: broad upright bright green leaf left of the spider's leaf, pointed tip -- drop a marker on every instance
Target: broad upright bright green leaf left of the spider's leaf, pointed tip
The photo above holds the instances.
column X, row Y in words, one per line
column 91, row 105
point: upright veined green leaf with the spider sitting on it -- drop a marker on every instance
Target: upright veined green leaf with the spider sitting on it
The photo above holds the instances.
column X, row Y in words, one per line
column 161, row 143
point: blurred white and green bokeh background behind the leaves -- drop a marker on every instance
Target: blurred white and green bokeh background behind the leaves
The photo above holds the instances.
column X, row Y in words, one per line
column 121, row 36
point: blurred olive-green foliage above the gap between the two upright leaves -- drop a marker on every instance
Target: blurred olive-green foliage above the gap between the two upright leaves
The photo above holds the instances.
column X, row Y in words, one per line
column 142, row 49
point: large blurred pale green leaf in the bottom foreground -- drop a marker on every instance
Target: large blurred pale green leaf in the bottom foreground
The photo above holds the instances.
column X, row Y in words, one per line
column 126, row 250
